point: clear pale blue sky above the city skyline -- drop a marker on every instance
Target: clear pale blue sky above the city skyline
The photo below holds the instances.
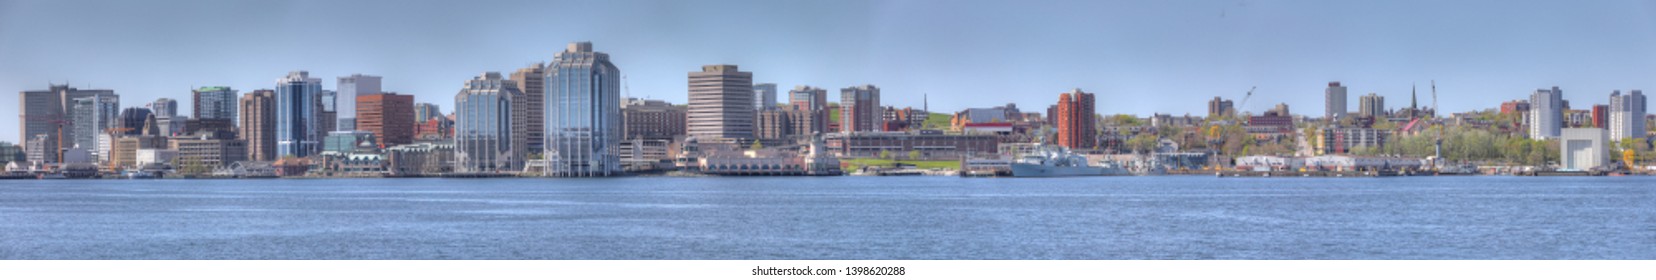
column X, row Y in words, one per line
column 1138, row 57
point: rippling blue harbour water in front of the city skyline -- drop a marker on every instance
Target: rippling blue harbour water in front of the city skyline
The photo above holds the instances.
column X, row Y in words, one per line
column 834, row 218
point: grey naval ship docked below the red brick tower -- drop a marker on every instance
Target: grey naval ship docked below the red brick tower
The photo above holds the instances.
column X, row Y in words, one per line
column 1049, row 162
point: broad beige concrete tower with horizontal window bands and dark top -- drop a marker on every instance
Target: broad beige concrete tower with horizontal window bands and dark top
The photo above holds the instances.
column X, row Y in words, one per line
column 721, row 104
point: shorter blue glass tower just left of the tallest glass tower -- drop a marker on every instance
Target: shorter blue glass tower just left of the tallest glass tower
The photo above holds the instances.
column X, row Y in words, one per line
column 484, row 140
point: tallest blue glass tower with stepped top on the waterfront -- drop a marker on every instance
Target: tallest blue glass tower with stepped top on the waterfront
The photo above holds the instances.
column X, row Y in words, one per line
column 584, row 113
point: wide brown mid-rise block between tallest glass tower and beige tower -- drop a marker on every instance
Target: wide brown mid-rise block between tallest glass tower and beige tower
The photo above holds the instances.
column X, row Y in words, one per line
column 653, row 120
